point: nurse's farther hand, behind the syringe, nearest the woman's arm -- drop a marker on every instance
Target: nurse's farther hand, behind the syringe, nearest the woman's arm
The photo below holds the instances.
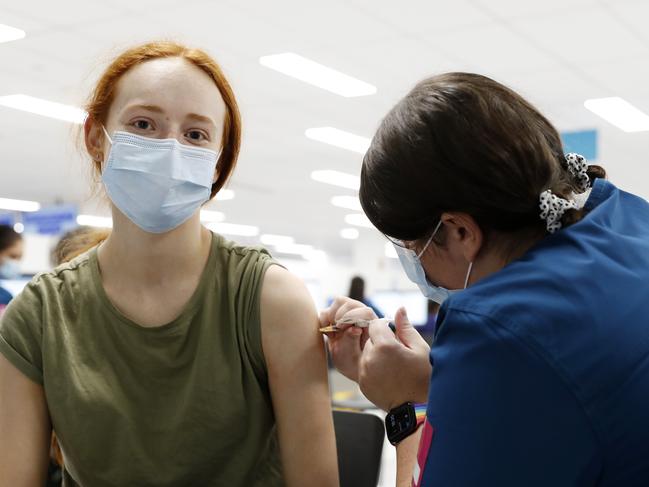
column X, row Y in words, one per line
column 346, row 346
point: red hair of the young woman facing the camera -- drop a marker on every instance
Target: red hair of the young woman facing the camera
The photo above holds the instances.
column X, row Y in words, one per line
column 103, row 95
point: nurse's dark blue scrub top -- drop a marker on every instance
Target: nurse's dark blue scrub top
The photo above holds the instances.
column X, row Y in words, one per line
column 541, row 370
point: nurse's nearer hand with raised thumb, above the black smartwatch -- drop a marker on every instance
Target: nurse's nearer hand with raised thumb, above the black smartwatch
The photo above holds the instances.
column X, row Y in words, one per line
column 395, row 368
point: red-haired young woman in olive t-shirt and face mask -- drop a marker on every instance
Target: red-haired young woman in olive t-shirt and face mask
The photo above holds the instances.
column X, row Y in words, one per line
column 167, row 355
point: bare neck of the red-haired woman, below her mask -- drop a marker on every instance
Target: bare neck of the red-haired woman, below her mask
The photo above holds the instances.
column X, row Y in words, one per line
column 151, row 258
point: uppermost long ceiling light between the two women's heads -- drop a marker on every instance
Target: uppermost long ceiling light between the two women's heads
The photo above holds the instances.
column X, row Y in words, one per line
column 316, row 74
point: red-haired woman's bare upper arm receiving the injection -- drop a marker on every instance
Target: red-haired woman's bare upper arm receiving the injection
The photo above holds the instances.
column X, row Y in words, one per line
column 297, row 372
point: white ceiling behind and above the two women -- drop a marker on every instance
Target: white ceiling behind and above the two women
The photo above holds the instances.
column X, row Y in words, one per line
column 556, row 52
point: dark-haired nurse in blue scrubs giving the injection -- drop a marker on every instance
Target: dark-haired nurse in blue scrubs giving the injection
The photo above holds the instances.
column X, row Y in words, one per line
column 539, row 370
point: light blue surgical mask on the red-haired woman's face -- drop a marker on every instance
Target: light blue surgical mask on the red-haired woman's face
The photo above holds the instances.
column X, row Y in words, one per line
column 157, row 183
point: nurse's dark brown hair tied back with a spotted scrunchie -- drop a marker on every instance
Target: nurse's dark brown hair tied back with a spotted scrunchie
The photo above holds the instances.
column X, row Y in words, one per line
column 463, row 142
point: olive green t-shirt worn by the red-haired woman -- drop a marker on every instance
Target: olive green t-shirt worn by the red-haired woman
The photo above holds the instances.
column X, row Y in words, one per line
column 183, row 404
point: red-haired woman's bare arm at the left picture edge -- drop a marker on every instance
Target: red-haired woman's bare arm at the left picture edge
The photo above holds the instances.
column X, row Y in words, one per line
column 24, row 429
